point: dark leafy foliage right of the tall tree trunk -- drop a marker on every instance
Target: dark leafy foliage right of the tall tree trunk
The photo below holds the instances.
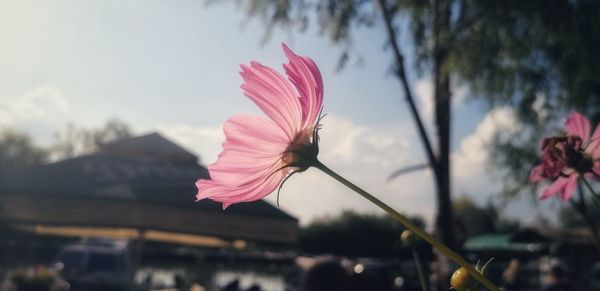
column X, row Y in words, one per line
column 539, row 57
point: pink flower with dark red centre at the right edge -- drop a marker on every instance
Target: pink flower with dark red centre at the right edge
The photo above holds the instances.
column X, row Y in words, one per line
column 566, row 158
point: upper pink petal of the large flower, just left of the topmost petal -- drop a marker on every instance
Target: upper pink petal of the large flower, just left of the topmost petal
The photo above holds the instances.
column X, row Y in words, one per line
column 273, row 95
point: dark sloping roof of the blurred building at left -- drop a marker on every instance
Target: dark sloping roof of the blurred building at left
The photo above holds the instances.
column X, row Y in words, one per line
column 146, row 168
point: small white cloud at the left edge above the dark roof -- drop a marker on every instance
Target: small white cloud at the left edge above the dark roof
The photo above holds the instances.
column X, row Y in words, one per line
column 45, row 104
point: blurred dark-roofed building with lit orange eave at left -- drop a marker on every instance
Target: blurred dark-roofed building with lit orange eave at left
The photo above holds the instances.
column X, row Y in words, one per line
column 140, row 187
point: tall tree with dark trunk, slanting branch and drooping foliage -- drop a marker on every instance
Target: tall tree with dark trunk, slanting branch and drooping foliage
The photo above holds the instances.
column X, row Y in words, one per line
column 540, row 57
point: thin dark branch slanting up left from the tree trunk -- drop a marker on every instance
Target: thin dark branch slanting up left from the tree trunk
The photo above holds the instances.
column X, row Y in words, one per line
column 401, row 73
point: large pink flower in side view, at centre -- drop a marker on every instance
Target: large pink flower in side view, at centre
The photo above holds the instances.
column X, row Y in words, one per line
column 258, row 153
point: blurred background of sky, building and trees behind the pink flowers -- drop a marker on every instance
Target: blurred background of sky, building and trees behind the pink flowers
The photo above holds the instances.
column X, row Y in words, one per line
column 111, row 110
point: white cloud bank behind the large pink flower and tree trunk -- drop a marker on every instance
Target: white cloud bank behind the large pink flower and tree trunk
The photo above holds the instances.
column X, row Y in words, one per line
column 367, row 155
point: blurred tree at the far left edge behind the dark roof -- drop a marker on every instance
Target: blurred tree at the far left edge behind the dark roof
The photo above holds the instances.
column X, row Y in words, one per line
column 17, row 151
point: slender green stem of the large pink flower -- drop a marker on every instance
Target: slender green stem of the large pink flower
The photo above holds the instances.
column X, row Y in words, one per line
column 410, row 226
